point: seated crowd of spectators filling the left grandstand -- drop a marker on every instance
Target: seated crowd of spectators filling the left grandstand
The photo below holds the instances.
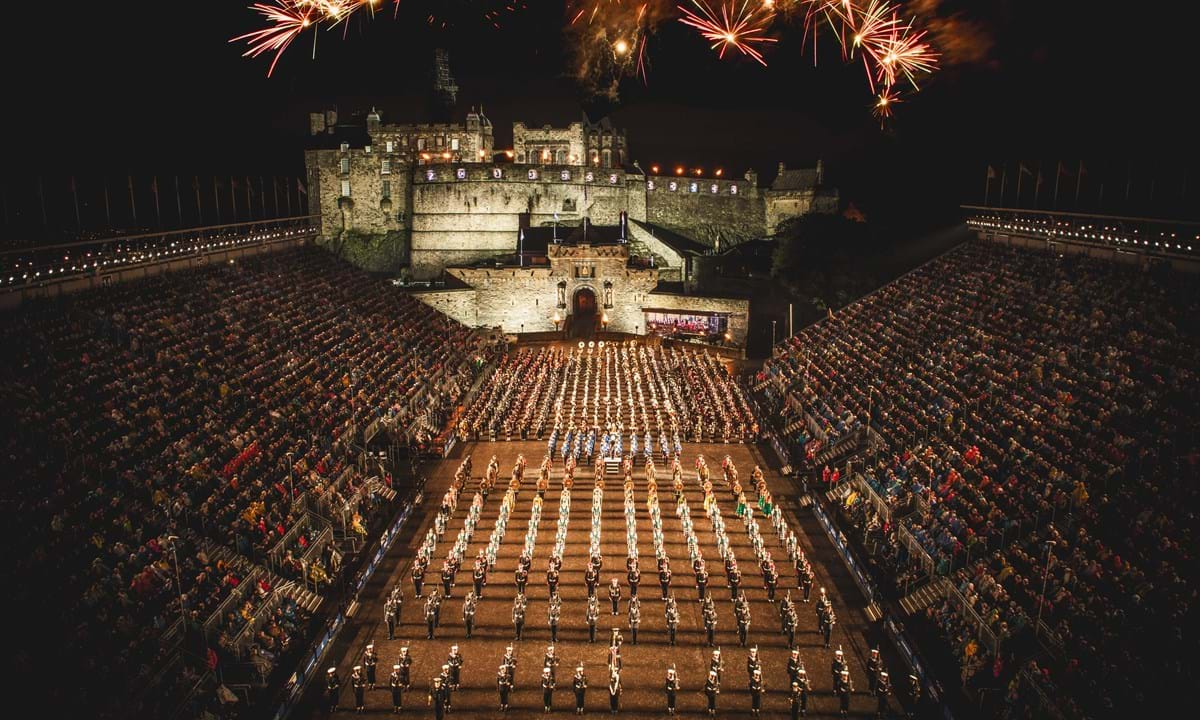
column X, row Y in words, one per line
column 172, row 421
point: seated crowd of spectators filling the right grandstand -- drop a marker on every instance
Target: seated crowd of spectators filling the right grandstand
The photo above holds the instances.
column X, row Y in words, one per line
column 1040, row 412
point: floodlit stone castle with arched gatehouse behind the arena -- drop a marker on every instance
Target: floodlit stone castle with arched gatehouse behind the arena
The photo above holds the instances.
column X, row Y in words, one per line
column 536, row 233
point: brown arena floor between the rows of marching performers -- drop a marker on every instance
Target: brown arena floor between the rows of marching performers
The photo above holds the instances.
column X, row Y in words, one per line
column 645, row 664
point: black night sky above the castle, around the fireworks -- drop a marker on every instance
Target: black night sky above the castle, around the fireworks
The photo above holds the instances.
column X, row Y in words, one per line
column 151, row 88
